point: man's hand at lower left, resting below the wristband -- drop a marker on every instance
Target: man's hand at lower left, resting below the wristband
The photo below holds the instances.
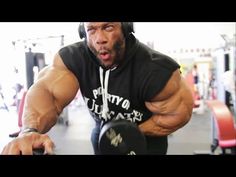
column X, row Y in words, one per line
column 27, row 142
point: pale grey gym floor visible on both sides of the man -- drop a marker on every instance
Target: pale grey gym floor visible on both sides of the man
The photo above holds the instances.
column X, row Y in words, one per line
column 74, row 138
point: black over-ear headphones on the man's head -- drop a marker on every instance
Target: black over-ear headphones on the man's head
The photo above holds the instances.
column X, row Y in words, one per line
column 127, row 27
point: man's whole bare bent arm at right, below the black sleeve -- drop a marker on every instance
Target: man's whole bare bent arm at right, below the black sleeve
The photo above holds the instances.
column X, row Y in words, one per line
column 171, row 108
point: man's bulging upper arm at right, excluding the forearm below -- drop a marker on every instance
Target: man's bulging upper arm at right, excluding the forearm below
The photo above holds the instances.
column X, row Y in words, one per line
column 173, row 105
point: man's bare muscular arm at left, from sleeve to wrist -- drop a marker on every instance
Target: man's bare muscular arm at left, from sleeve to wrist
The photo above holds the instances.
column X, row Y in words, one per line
column 55, row 87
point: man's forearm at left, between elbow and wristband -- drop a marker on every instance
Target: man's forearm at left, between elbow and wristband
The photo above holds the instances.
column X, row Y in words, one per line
column 40, row 110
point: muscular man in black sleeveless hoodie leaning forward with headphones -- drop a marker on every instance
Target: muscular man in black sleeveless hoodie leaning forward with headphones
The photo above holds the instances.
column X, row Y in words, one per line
column 119, row 78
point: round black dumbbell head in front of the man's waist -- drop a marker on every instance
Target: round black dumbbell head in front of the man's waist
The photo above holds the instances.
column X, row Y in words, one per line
column 121, row 137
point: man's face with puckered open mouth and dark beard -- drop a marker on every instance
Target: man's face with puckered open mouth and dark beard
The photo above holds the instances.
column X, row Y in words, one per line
column 106, row 41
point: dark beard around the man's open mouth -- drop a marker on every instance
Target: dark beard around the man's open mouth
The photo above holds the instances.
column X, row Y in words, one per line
column 116, row 51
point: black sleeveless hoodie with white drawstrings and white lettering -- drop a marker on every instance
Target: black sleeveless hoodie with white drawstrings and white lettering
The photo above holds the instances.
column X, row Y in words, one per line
column 121, row 92
